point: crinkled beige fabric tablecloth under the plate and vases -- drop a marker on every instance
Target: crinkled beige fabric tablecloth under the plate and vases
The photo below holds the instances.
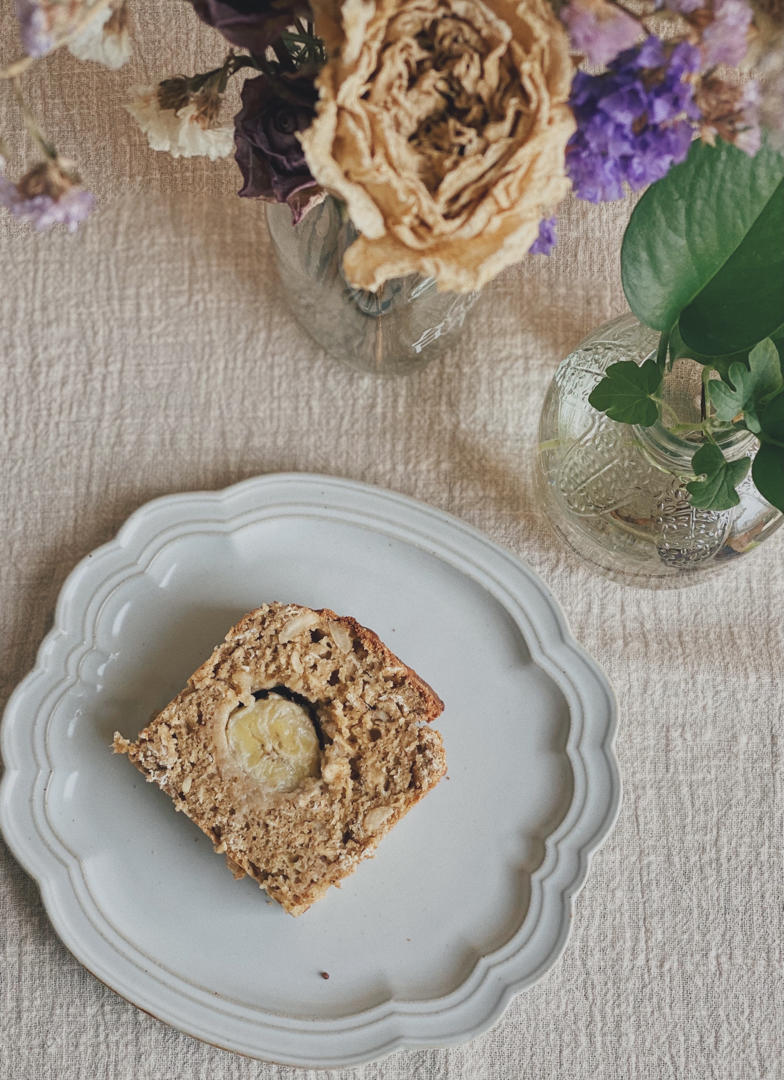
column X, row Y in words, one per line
column 153, row 354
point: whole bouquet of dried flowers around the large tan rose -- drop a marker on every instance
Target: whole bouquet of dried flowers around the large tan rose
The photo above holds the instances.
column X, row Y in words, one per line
column 442, row 133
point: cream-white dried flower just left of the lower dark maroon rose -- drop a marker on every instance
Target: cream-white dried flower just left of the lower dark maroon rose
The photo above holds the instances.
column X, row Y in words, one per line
column 188, row 132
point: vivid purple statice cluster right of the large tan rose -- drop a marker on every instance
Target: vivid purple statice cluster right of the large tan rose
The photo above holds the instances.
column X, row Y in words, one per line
column 634, row 123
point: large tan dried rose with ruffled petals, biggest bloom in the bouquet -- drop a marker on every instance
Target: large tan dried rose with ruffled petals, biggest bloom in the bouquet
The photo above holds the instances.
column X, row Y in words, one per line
column 442, row 125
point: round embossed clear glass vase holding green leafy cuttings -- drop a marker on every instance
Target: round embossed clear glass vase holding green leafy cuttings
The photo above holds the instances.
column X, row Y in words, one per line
column 617, row 494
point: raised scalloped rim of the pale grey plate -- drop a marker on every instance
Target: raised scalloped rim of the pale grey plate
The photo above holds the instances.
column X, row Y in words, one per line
column 545, row 645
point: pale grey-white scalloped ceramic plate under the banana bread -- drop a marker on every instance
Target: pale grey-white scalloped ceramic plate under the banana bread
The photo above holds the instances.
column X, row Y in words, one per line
column 468, row 900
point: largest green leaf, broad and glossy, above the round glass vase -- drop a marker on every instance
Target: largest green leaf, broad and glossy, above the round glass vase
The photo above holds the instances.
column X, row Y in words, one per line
column 707, row 241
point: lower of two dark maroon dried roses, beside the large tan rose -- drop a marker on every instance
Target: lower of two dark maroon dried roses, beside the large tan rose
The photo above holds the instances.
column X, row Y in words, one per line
column 268, row 152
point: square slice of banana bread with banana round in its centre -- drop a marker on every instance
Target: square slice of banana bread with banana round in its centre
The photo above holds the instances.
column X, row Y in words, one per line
column 295, row 748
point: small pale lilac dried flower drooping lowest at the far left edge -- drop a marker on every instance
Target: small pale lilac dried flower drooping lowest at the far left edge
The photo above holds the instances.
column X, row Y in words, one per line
column 47, row 196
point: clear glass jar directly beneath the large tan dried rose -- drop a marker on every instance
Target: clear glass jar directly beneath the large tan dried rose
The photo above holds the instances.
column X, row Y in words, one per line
column 394, row 332
